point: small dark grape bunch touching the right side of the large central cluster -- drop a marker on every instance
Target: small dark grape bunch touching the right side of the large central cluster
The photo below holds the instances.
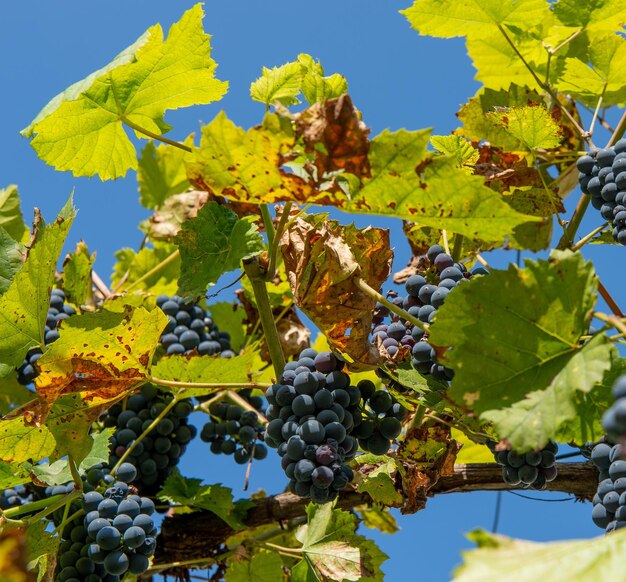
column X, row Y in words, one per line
column 382, row 419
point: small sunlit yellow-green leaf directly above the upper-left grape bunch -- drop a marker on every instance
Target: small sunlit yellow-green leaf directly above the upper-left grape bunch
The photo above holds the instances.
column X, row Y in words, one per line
column 155, row 269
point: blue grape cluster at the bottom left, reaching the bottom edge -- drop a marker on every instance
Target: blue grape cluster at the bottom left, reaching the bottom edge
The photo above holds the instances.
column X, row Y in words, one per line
column 111, row 533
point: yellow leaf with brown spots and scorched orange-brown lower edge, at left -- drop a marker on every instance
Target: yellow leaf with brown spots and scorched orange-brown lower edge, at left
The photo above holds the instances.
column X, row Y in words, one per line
column 100, row 355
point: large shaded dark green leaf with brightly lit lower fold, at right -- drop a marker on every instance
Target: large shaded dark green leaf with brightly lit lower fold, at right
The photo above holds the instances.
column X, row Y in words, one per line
column 537, row 347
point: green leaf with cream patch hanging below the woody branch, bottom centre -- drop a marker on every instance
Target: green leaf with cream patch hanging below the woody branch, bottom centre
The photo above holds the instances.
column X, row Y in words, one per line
column 333, row 551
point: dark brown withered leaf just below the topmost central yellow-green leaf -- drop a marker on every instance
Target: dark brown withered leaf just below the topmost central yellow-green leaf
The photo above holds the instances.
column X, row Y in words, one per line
column 336, row 125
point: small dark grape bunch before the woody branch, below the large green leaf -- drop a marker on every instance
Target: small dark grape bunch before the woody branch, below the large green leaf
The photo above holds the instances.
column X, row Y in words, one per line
column 533, row 469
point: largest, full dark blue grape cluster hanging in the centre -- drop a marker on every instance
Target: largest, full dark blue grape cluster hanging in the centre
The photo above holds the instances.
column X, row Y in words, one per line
column 312, row 412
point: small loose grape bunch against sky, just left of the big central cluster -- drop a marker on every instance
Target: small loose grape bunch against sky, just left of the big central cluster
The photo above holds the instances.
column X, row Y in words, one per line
column 235, row 431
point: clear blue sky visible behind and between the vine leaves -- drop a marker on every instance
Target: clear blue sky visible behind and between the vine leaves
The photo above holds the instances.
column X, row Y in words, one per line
column 396, row 78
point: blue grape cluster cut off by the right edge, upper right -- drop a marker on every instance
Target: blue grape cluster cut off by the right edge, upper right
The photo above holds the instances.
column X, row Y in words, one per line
column 602, row 175
